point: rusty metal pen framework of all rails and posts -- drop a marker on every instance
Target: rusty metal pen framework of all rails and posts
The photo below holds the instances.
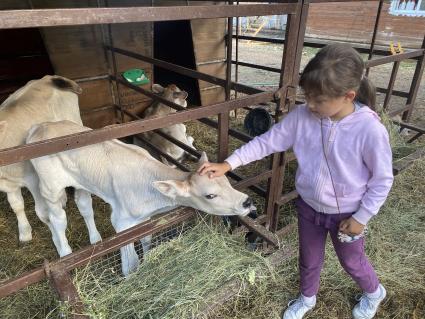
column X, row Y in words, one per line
column 58, row 271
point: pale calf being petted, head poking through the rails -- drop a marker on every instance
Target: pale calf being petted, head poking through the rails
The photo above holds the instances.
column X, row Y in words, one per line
column 136, row 185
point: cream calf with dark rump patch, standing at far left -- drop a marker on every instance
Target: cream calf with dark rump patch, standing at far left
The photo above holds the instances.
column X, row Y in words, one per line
column 52, row 98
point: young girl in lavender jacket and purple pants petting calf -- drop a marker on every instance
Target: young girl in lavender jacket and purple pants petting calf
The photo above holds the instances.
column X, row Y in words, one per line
column 344, row 171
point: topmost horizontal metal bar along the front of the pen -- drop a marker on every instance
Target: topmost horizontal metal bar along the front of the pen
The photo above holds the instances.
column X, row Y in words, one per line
column 80, row 16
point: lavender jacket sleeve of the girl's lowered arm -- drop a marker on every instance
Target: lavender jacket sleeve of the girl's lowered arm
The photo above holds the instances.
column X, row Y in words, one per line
column 377, row 156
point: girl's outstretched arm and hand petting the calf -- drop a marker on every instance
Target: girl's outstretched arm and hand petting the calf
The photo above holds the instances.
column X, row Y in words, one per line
column 278, row 139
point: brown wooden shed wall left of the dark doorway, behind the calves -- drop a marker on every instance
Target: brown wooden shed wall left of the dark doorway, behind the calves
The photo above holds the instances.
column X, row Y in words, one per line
column 77, row 52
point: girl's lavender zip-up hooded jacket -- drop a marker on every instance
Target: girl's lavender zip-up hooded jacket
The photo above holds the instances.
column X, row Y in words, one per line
column 358, row 152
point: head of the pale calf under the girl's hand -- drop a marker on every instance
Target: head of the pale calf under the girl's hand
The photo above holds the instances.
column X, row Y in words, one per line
column 215, row 196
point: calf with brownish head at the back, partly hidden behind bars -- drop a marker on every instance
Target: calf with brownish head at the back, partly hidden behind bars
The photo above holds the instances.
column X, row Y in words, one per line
column 178, row 131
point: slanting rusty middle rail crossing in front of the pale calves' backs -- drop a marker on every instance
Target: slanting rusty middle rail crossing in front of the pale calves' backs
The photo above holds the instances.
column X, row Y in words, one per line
column 28, row 151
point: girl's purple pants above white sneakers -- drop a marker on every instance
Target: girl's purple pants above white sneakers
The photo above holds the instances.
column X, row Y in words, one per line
column 313, row 228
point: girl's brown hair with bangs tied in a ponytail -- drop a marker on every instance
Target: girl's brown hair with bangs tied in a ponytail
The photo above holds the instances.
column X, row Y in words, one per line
column 335, row 70
